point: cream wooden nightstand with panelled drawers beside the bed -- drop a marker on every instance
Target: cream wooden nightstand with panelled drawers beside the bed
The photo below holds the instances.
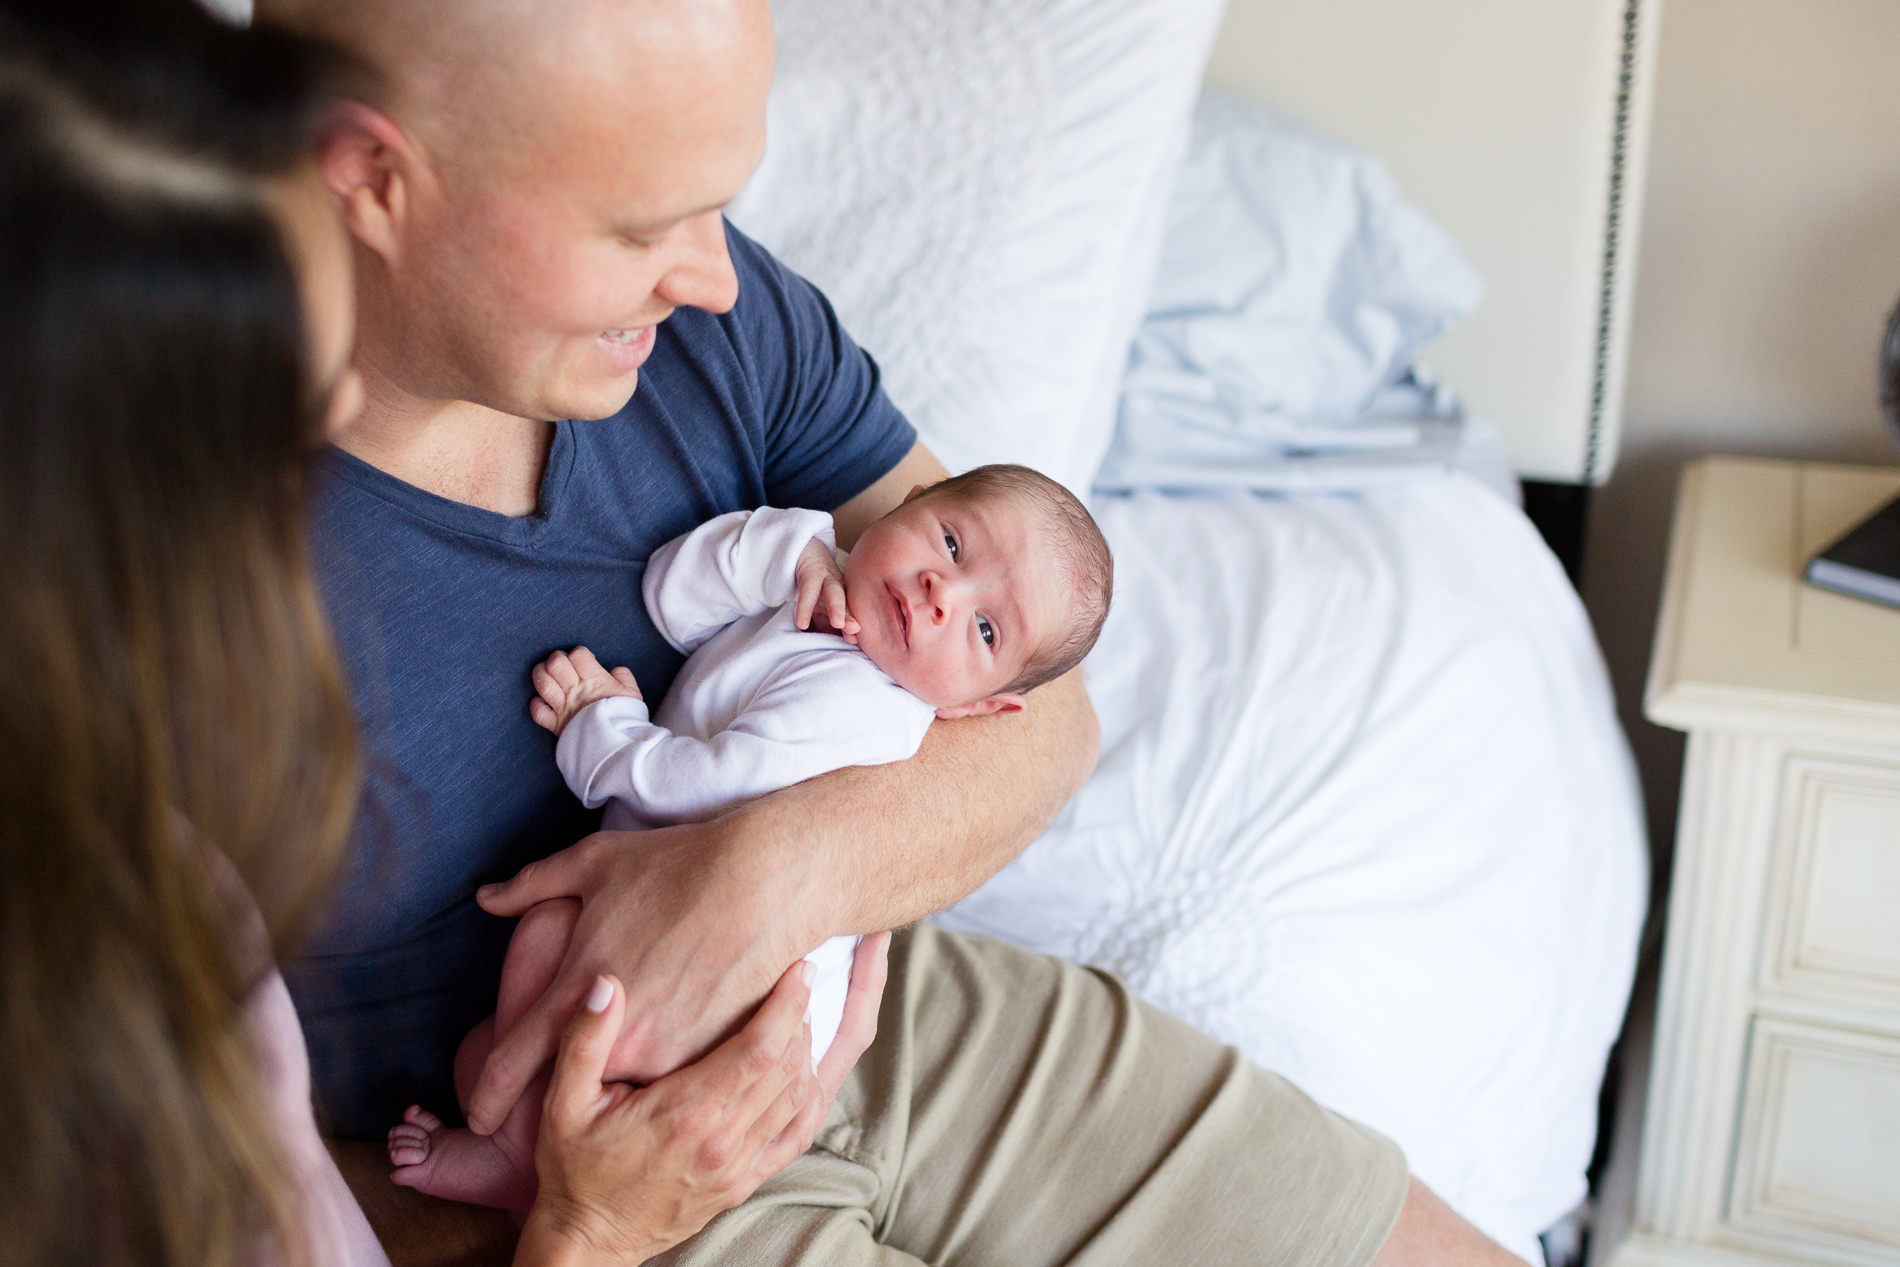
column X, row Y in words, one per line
column 1772, row 1129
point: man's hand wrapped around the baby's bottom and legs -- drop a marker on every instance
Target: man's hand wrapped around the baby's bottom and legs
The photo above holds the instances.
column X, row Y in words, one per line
column 685, row 918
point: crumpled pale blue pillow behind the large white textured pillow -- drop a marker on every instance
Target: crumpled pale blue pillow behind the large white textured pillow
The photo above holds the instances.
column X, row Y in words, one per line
column 1295, row 274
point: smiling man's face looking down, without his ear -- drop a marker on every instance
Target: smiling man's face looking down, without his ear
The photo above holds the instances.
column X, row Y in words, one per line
column 535, row 274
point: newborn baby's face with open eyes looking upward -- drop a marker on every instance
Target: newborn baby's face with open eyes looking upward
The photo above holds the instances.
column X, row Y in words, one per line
column 953, row 597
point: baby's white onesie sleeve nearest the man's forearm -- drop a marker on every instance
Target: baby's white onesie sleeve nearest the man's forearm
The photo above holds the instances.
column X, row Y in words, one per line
column 820, row 713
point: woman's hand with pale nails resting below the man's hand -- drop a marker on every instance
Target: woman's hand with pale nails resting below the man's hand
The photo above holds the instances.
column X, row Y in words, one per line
column 630, row 1173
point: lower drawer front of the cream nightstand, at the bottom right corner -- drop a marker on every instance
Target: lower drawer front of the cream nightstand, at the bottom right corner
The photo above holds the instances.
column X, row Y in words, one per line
column 1819, row 1152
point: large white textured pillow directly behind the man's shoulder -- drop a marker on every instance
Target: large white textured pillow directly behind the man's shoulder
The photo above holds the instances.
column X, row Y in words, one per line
column 979, row 189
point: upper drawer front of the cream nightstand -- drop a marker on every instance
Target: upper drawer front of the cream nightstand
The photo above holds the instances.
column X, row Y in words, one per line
column 1838, row 871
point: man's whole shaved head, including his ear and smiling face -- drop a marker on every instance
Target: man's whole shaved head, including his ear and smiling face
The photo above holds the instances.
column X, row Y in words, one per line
column 537, row 185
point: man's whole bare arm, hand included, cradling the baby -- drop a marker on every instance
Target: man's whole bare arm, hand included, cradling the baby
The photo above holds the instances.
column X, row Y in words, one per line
column 702, row 920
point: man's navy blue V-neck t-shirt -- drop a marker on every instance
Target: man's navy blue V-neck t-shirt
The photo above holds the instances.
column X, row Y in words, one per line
column 444, row 609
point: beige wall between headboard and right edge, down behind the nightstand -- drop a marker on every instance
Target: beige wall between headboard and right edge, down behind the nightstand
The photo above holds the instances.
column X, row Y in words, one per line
column 1770, row 259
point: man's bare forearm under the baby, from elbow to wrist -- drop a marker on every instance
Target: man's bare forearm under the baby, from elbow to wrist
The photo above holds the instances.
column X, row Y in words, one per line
column 881, row 846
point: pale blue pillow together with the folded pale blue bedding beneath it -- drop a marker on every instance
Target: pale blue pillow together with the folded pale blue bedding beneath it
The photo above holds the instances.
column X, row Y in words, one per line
column 1295, row 290
